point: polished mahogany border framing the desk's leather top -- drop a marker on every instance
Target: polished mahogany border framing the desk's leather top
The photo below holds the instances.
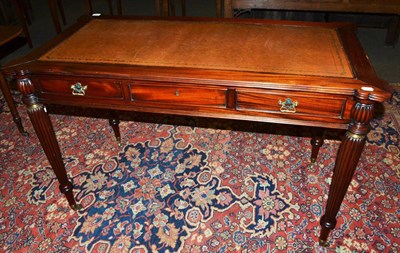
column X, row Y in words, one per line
column 362, row 69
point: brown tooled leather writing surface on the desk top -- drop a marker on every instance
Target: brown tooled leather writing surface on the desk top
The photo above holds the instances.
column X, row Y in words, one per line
column 284, row 49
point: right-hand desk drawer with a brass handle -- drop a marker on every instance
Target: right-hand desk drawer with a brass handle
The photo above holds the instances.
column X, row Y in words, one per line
column 303, row 103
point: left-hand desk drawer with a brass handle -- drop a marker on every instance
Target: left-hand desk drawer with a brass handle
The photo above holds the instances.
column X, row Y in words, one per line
column 81, row 87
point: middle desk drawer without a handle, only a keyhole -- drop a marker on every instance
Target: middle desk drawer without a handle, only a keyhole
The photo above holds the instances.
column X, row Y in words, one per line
column 171, row 94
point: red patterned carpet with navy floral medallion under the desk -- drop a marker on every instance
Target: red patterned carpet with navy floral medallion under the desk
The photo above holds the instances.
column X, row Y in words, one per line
column 193, row 189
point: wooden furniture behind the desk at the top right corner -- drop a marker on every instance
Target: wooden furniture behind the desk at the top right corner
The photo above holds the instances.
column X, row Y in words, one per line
column 390, row 7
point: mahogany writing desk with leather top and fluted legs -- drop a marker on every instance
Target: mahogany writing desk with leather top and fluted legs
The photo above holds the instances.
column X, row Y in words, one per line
column 307, row 74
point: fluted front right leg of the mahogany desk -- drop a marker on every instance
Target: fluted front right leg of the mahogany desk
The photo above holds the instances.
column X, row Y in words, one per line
column 346, row 162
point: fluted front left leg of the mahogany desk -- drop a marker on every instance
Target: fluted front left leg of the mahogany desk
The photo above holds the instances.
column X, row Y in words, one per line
column 45, row 132
